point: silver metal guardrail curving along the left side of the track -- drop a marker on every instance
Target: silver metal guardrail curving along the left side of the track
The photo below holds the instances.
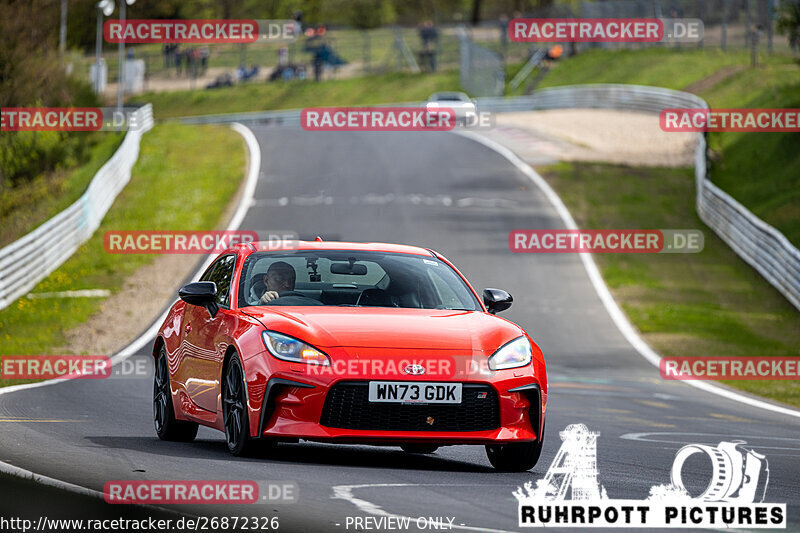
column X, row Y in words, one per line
column 28, row 260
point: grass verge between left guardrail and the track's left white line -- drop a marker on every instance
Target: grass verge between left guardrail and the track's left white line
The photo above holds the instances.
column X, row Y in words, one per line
column 184, row 179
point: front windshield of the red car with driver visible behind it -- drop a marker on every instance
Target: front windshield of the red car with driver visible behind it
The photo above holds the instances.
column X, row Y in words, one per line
column 353, row 278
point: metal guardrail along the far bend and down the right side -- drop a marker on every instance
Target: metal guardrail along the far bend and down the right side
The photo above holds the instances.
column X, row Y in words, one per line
column 760, row 245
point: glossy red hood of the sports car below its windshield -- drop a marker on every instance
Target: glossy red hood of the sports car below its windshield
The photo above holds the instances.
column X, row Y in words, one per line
column 375, row 327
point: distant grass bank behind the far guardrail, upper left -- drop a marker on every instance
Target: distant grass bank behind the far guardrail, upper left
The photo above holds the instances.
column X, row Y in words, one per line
column 378, row 89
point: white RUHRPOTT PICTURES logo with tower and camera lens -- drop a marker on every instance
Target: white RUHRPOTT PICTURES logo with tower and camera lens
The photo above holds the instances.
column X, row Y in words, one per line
column 570, row 494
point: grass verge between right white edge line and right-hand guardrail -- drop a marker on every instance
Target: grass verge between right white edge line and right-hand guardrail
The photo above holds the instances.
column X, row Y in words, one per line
column 705, row 304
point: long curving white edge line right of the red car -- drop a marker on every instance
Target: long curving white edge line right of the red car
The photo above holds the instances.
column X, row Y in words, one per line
column 619, row 318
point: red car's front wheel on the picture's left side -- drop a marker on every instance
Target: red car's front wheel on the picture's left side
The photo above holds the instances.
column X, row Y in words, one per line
column 234, row 409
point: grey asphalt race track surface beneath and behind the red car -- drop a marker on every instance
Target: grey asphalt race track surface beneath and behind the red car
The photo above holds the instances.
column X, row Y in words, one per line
column 459, row 197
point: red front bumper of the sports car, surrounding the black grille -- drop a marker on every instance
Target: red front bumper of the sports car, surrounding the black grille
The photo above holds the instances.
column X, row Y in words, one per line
column 293, row 405
